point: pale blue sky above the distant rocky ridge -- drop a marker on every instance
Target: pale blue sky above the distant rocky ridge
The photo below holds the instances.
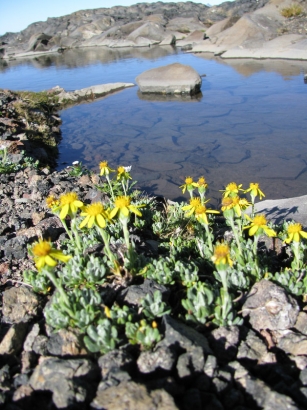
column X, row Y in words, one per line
column 16, row 15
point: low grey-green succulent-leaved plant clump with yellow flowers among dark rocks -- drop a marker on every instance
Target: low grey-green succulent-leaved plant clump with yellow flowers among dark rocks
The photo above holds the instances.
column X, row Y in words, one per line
column 208, row 259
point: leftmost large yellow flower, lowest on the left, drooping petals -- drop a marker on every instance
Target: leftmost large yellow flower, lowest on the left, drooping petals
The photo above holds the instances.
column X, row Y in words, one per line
column 44, row 254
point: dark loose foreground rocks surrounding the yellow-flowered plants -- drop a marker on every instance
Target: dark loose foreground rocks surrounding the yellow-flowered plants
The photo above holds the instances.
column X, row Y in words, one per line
column 261, row 364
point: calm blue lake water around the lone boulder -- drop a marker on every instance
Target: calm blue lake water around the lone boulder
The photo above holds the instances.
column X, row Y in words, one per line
column 249, row 124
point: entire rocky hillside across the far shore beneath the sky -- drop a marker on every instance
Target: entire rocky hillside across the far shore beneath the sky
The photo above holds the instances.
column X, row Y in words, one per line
column 240, row 28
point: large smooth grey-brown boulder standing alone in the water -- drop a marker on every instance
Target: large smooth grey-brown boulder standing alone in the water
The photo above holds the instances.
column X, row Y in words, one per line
column 171, row 79
